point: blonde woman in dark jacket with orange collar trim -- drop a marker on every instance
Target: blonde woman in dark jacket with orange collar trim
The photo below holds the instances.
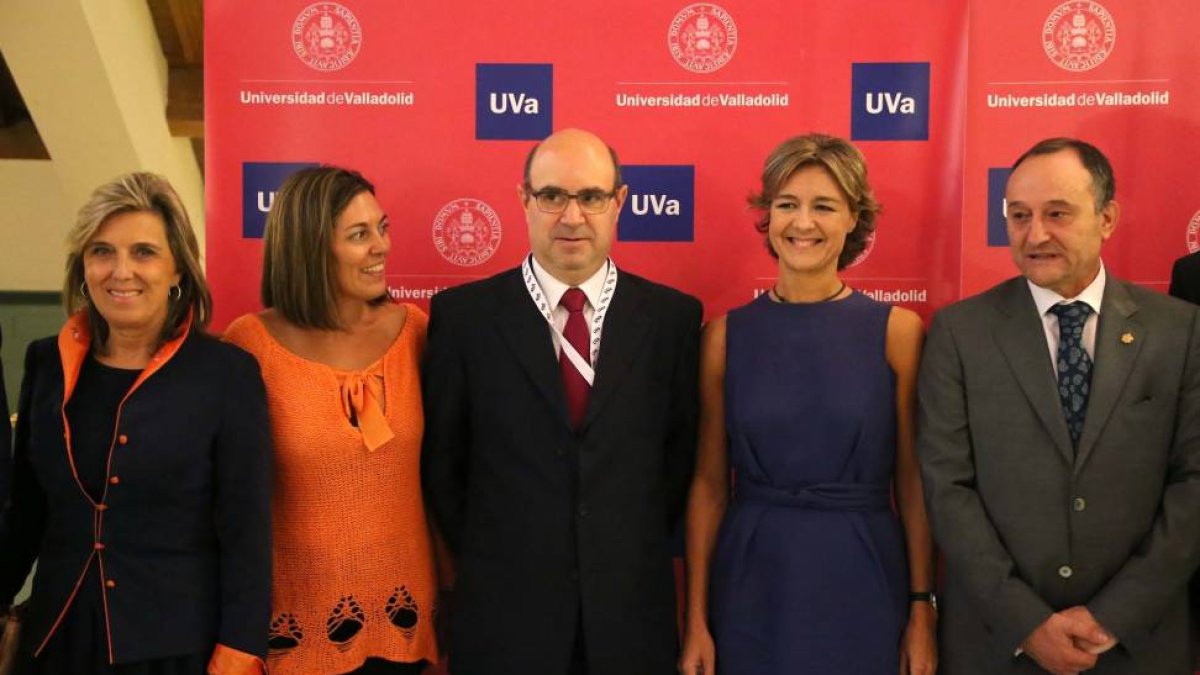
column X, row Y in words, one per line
column 142, row 462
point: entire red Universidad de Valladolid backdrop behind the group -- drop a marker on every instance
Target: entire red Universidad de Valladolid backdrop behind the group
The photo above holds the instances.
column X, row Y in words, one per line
column 439, row 104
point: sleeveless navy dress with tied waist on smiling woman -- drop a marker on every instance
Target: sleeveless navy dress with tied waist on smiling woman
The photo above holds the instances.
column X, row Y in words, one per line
column 809, row 574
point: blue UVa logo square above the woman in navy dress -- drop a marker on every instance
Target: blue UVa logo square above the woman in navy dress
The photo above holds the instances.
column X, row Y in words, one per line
column 890, row 103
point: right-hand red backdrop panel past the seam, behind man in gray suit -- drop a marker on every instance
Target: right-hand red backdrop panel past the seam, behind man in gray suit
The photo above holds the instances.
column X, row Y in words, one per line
column 1123, row 75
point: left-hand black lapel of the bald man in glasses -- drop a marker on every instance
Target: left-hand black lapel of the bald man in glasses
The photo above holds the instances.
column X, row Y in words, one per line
column 529, row 336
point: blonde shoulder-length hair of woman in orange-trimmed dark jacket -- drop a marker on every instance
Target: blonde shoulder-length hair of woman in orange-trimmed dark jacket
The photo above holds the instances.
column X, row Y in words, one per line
column 152, row 194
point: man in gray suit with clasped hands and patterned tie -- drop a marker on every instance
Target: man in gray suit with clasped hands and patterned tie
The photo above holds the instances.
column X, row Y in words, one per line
column 1060, row 444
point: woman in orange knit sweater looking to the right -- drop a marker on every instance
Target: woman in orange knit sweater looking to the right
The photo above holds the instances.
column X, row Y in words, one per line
column 355, row 580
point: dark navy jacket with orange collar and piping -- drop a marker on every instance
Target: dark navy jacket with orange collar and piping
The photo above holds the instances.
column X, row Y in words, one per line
column 187, row 525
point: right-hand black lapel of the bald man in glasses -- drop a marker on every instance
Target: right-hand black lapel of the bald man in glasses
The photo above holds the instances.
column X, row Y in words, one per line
column 625, row 330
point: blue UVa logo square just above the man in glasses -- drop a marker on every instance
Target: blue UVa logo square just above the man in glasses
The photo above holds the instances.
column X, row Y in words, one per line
column 514, row 101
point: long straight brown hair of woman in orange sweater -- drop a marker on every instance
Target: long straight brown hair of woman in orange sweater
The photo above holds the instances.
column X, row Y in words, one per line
column 298, row 253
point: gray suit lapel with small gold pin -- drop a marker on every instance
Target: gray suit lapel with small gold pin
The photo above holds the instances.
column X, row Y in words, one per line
column 1113, row 362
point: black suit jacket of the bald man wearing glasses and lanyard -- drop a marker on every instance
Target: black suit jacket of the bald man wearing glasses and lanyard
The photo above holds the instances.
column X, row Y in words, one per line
column 548, row 524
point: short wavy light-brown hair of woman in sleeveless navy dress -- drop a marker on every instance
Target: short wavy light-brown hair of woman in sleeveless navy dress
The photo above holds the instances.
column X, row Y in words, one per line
column 848, row 168
